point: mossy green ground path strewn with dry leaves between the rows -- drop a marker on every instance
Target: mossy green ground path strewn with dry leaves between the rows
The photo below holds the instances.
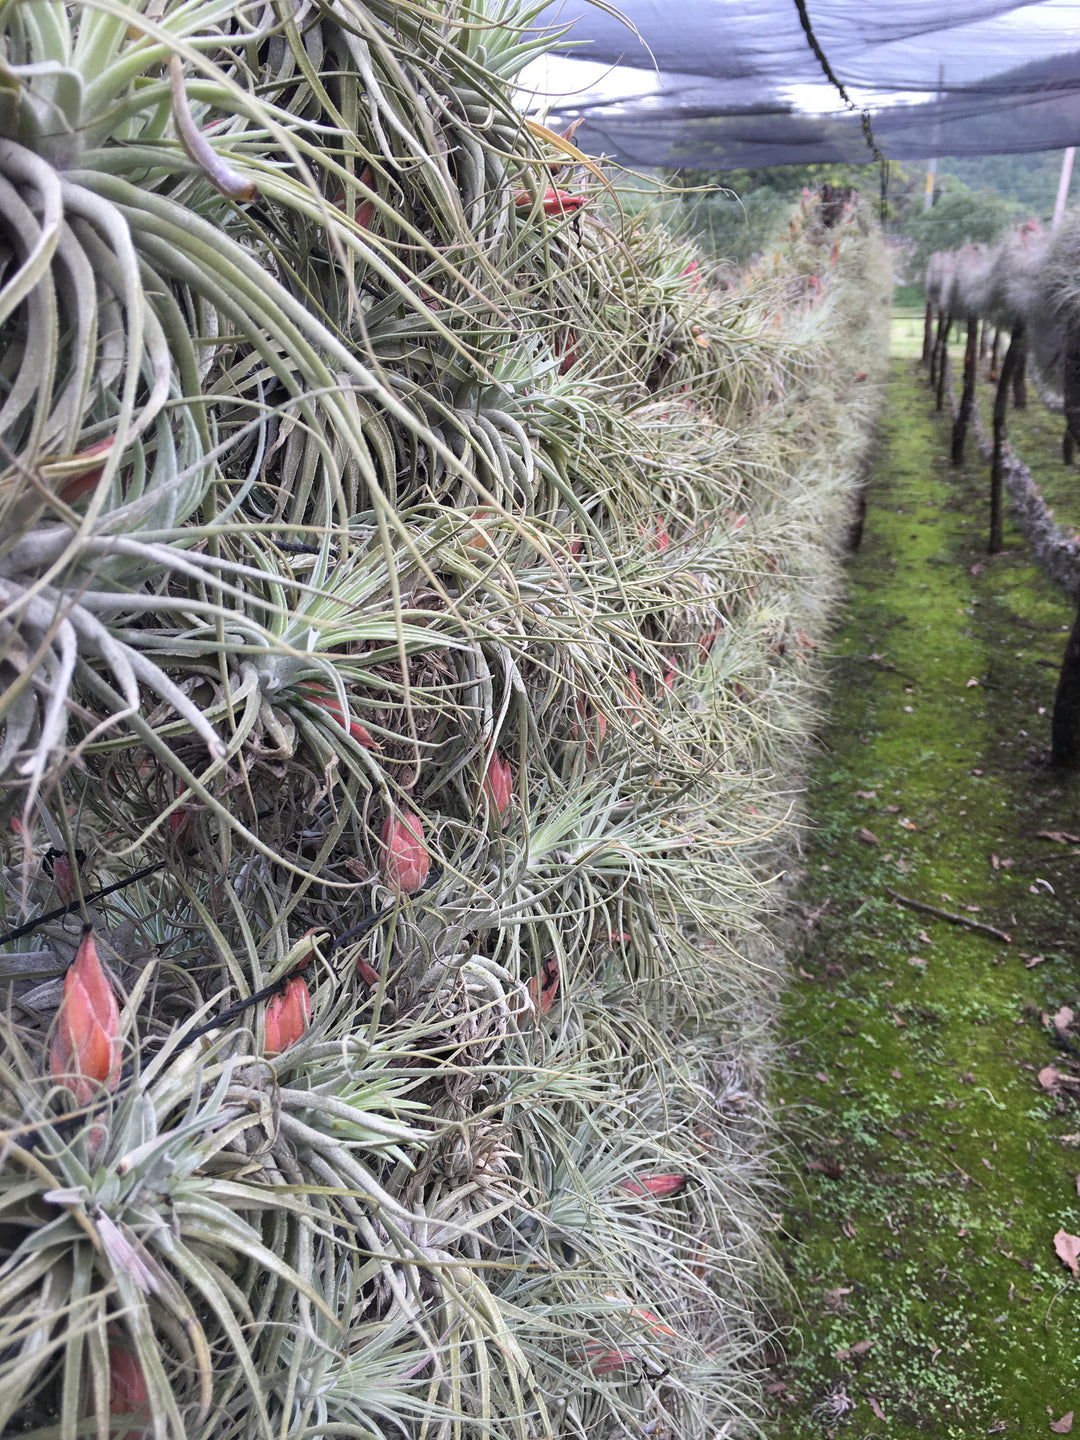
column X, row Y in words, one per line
column 931, row 1171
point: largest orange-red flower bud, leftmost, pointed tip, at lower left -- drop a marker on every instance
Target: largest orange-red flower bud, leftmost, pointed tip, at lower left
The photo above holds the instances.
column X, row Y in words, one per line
column 86, row 1045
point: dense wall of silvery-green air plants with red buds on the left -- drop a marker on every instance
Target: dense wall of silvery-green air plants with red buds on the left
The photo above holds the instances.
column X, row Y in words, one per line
column 410, row 584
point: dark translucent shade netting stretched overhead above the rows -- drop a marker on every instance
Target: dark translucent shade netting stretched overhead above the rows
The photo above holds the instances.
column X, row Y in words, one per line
column 721, row 84
